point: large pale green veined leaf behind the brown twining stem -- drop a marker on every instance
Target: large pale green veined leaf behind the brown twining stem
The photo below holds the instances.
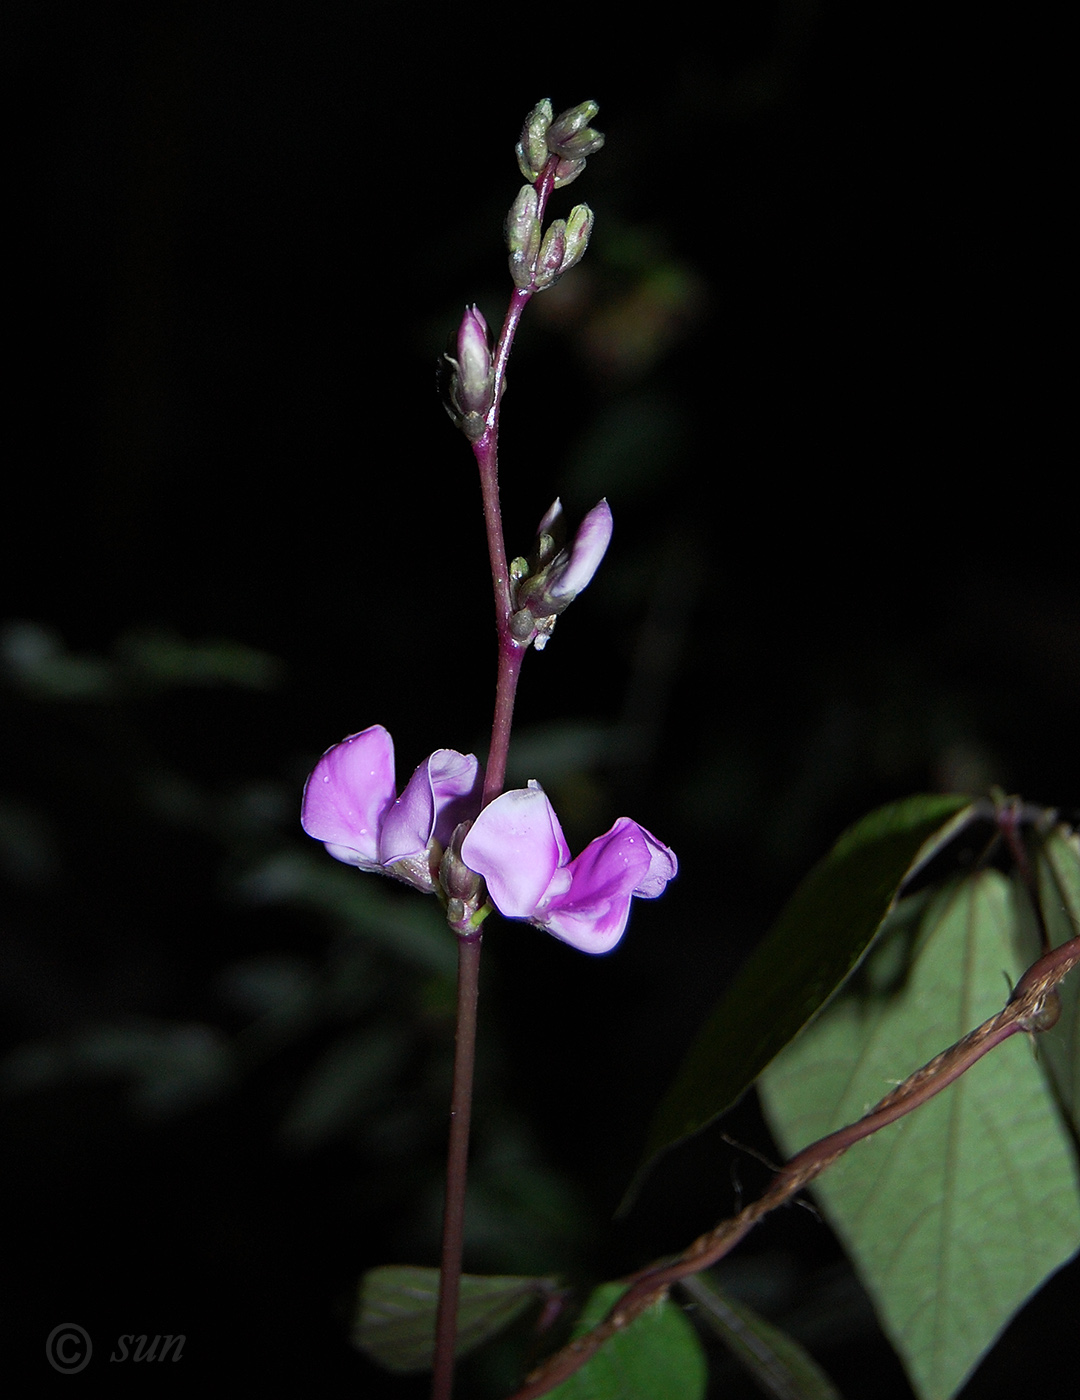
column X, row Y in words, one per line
column 957, row 1213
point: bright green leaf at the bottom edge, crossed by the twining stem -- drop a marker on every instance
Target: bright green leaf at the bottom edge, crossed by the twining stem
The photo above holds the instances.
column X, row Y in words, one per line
column 658, row 1357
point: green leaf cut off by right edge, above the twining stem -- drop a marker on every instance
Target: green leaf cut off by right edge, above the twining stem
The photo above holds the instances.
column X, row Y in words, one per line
column 1058, row 878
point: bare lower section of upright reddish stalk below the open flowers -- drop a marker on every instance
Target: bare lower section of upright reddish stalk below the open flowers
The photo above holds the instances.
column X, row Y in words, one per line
column 457, row 1165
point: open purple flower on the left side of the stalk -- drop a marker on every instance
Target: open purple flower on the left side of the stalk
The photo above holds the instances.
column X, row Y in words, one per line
column 352, row 807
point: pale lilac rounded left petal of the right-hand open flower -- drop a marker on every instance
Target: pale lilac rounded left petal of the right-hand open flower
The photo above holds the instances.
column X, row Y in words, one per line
column 518, row 845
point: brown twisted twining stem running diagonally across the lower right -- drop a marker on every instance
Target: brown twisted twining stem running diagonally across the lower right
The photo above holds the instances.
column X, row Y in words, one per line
column 1025, row 1011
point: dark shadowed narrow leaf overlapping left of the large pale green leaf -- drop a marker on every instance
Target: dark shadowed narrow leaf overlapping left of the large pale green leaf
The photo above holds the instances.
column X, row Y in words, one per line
column 817, row 941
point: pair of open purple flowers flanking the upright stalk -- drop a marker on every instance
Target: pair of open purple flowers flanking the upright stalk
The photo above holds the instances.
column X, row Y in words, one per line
column 516, row 843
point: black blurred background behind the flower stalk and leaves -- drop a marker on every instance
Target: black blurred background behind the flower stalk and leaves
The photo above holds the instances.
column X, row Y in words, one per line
column 813, row 359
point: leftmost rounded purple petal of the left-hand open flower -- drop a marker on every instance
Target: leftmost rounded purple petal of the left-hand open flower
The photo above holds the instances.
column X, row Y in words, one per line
column 348, row 796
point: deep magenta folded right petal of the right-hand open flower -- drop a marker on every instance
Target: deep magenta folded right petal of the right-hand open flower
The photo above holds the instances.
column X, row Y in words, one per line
column 592, row 915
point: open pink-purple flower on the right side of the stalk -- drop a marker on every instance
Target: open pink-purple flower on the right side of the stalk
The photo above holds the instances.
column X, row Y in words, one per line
column 519, row 848
